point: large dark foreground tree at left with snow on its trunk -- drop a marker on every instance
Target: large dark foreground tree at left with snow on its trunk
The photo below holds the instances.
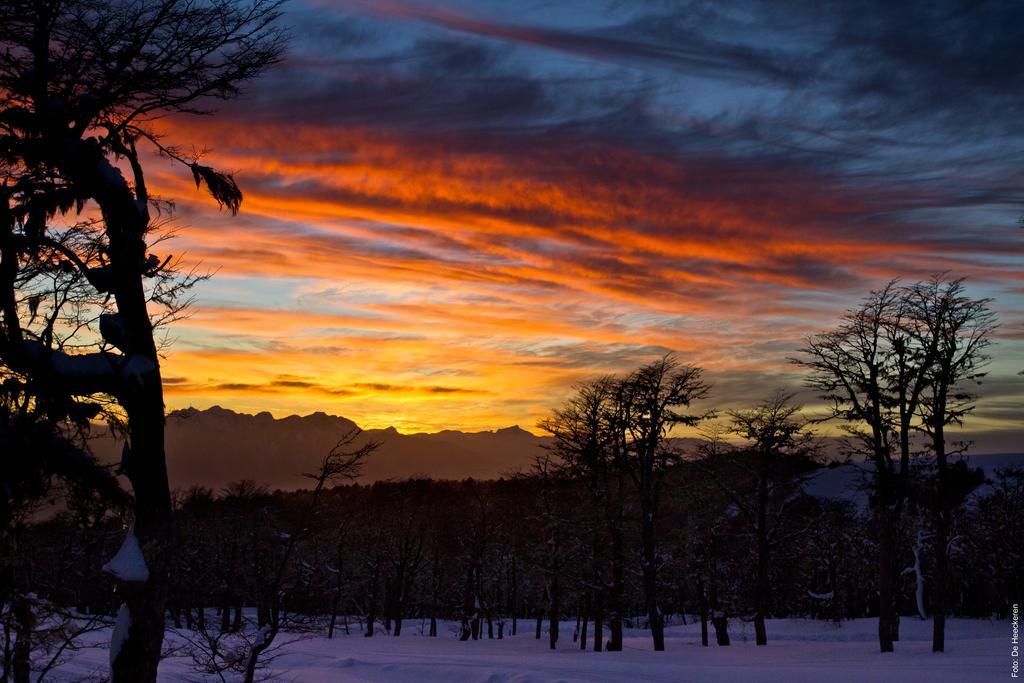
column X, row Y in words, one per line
column 81, row 82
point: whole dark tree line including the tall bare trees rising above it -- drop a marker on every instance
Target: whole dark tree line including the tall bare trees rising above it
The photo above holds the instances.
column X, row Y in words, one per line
column 621, row 524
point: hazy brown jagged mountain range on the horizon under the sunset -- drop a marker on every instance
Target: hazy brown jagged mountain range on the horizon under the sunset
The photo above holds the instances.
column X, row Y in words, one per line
column 216, row 447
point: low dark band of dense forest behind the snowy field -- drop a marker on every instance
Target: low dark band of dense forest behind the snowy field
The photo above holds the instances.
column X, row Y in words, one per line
column 739, row 540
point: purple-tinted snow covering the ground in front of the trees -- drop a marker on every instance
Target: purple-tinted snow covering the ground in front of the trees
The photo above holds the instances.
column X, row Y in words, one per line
column 798, row 651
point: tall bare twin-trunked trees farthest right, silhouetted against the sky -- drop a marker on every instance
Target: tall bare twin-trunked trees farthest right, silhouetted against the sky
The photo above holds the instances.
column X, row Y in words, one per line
column 895, row 366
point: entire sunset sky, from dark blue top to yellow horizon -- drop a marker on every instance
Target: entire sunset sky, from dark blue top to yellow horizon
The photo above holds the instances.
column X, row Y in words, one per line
column 456, row 211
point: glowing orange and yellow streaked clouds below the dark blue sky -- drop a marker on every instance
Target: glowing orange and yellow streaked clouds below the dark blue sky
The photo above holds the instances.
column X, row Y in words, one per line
column 461, row 282
